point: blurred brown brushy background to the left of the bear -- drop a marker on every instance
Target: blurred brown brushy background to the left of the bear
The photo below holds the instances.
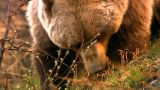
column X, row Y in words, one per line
column 16, row 58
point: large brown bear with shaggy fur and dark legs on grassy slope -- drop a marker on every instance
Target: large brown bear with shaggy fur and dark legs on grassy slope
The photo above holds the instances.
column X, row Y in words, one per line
column 63, row 30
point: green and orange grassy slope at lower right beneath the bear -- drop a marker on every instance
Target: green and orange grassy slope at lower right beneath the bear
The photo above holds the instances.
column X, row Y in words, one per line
column 138, row 74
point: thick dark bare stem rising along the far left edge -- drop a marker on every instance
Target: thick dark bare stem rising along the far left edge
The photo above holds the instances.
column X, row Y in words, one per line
column 2, row 41
